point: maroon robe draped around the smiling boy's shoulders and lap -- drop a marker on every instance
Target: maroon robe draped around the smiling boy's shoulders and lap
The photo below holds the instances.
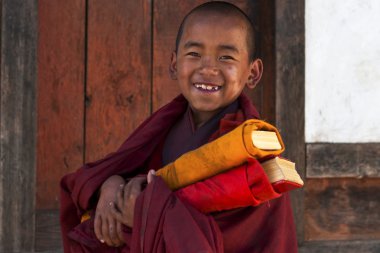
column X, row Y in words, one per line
column 266, row 228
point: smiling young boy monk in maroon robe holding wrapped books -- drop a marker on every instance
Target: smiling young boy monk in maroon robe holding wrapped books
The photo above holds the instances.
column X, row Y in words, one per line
column 213, row 62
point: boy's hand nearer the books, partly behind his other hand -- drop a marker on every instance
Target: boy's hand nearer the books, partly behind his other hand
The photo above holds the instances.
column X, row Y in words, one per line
column 123, row 209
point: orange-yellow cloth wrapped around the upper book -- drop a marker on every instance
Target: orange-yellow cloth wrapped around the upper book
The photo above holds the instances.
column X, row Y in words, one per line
column 222, row 154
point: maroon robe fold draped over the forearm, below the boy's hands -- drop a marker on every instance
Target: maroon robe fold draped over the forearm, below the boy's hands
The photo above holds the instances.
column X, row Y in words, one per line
column 162, row 224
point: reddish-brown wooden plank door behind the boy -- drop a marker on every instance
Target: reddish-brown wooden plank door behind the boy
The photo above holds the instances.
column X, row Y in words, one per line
column 103, row 69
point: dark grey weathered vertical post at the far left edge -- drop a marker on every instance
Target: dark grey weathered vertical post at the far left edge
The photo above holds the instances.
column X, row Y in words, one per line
column 18, row 124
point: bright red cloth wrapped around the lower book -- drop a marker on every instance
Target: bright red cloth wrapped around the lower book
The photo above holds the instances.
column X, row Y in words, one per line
column 246, row 185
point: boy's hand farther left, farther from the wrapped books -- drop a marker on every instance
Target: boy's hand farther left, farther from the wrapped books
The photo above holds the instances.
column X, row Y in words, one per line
column 107, row 228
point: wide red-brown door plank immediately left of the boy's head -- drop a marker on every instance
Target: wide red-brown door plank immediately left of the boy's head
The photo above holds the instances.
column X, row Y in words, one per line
column 118, row 72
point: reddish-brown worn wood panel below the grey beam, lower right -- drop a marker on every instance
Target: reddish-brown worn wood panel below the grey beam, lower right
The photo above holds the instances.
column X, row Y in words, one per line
column 342, row 209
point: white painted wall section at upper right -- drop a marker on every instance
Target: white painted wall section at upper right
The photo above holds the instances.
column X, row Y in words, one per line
column 342, row 71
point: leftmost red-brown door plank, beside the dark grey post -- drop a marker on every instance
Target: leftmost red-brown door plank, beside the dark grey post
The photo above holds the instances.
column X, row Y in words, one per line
column 61, row 38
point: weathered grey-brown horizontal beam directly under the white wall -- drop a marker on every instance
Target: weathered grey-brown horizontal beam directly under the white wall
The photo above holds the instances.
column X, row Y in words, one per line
column 343, row 160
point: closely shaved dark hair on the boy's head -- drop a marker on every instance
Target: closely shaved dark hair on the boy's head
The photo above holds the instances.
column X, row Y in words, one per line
column 222, row 9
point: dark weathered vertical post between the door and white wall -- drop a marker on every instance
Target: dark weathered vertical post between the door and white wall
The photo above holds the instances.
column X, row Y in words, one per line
column 290, row 77
